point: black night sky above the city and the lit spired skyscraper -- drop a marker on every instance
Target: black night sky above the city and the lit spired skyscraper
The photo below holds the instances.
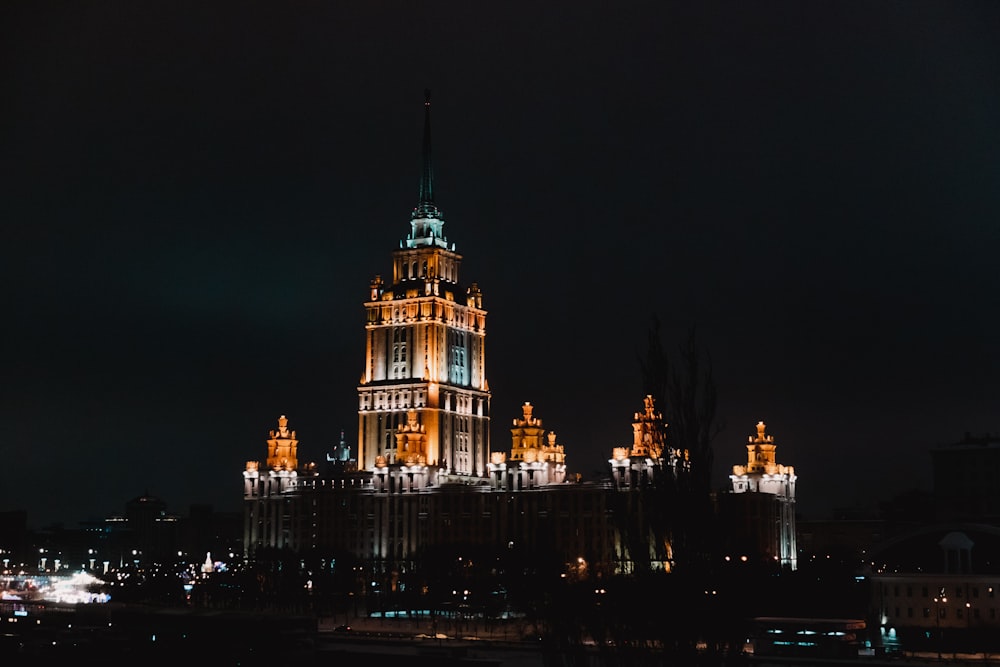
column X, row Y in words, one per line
column 195, row 195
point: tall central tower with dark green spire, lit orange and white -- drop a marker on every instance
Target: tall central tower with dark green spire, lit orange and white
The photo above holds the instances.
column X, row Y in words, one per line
column 423, row 399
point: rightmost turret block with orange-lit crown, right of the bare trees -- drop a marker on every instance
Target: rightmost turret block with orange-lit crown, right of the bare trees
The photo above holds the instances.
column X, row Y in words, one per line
column 760, row 507
